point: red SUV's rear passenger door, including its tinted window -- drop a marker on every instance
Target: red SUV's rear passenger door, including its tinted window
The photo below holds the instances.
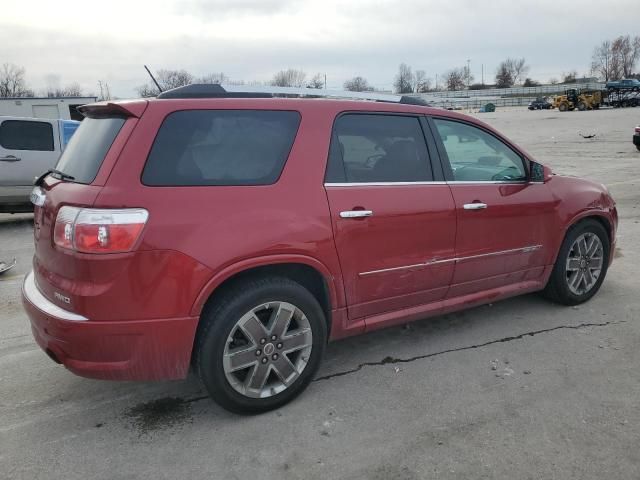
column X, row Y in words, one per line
column 394, row 225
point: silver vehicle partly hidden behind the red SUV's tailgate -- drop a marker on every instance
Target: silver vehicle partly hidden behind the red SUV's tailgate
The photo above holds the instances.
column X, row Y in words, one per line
column 28, row 147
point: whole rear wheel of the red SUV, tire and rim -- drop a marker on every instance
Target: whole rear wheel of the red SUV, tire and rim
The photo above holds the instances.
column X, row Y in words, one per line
column 260, row 345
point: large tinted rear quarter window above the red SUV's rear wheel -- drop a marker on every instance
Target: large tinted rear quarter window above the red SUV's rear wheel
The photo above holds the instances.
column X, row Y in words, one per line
column 221, row 147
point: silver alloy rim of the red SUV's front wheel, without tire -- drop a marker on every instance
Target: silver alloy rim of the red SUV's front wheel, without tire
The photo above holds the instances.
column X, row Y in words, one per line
column 584, row 263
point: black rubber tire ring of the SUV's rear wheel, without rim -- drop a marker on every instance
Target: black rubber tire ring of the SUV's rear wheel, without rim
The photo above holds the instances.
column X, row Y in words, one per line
column 217, row 323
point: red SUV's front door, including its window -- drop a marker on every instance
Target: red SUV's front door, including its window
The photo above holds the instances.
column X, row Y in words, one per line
column 503, row 219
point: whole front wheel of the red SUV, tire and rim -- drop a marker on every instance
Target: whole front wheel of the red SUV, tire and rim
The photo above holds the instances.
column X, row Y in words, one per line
column 581, row 264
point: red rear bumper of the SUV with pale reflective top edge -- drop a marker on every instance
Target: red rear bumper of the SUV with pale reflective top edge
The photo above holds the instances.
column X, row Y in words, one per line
column 110, row 350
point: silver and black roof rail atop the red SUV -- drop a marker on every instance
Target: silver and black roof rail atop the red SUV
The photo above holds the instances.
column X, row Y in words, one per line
column 250, row 91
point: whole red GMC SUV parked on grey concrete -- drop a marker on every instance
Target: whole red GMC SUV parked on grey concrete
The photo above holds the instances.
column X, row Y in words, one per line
column 238, row 234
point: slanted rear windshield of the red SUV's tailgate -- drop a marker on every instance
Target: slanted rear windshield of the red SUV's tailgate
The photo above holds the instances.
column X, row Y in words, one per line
column 88, row 146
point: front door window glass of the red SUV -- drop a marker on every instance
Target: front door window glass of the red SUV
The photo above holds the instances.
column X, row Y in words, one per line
column 477, row 156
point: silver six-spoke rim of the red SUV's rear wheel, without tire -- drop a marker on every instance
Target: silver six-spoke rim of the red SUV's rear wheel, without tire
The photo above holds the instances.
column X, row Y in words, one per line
column 267, row 349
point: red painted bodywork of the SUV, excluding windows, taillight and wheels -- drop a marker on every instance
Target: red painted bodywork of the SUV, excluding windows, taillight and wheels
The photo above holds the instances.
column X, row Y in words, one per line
column 143, row 307
